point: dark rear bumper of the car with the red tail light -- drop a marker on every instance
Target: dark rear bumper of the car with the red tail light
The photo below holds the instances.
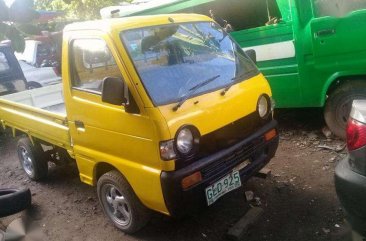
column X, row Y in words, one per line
column 351, row 191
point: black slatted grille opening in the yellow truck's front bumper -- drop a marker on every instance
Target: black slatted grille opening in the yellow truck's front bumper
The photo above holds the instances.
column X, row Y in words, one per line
column 223, row 165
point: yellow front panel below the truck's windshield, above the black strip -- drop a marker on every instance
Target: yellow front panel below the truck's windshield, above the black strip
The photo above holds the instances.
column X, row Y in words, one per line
column 211, row 111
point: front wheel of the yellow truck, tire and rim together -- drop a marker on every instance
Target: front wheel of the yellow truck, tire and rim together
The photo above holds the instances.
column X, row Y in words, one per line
column 120, row 203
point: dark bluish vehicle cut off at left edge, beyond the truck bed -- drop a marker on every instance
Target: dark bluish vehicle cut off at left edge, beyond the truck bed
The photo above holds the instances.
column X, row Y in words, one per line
column 11, row 76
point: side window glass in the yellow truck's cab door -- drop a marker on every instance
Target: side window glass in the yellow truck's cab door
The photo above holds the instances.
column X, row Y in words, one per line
column 92, row 62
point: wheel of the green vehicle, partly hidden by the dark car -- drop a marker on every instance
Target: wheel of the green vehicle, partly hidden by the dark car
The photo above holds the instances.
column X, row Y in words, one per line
column 339, row 104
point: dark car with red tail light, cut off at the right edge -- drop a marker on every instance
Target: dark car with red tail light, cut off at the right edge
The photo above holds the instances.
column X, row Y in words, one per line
column 350, row 174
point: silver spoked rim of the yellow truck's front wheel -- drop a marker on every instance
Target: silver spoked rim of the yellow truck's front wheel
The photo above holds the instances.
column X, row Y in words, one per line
column 116, row 205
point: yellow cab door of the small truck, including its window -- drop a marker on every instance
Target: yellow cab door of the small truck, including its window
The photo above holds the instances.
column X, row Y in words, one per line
column 103, row 132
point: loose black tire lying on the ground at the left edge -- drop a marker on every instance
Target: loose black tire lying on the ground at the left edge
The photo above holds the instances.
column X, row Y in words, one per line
column 13, row 201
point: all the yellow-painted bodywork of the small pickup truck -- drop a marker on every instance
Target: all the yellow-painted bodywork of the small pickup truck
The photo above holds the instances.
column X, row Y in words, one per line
column 128, row 142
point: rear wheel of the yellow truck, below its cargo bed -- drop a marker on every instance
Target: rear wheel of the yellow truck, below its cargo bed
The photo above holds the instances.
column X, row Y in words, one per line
column 32, row 159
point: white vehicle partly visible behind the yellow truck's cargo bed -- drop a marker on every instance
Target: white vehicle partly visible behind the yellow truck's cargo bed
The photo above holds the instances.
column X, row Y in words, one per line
column 38, row 77
